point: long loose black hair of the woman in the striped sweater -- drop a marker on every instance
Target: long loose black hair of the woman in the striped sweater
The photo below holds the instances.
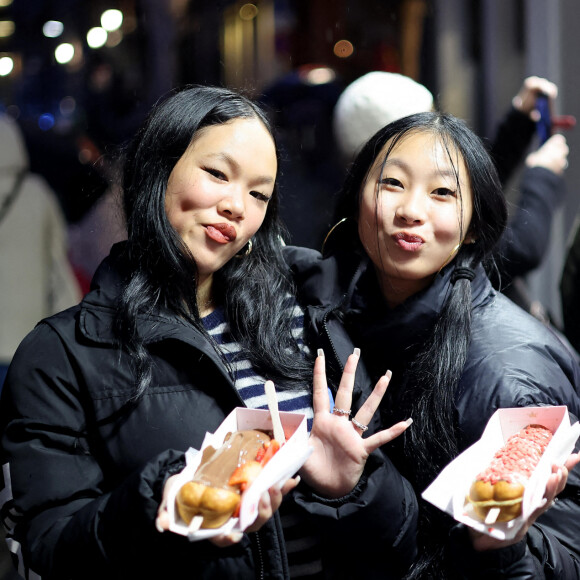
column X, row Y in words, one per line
column 253, row 289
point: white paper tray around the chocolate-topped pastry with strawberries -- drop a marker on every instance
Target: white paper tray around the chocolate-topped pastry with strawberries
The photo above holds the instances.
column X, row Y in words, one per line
column 283, row 465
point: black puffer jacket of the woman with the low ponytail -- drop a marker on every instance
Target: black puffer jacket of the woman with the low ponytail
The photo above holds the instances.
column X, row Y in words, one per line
column 513, row 361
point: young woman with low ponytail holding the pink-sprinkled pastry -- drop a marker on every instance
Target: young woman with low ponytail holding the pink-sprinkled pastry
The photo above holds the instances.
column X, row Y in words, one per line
column 421, row 212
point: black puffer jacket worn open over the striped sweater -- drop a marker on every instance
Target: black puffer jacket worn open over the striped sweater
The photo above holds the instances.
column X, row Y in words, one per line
column 88, row 467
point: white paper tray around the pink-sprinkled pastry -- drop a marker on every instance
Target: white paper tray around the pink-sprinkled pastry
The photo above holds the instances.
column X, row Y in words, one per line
column 449, row 491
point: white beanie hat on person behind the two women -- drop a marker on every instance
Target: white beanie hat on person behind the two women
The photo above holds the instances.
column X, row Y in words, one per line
column 373, row 101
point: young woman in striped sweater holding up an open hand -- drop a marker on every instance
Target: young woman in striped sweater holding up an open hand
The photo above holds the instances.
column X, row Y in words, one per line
column 184, row 321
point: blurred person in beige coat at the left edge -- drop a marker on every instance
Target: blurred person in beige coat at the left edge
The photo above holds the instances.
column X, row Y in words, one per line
column 37, row 278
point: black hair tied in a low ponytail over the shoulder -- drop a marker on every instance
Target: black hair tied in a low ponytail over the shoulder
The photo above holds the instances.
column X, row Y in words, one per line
column 434, row 374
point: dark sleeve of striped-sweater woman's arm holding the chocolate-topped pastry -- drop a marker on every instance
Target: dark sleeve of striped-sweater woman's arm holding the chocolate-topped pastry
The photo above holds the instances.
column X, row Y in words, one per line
column 64, row 509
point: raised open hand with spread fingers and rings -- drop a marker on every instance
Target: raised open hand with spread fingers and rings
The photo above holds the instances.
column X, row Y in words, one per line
column 340, row 451
